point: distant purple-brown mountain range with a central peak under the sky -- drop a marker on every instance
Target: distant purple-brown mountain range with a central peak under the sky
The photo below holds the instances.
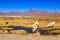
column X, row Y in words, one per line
column 30, row 13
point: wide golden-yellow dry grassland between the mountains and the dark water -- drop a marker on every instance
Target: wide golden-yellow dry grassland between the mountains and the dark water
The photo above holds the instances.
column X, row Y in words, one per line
column 28, row 21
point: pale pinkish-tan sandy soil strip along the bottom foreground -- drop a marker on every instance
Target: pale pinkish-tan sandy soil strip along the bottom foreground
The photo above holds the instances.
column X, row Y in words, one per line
column 27, row 37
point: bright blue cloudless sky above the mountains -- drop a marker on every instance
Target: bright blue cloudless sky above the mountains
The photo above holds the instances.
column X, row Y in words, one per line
column 22, row 5
